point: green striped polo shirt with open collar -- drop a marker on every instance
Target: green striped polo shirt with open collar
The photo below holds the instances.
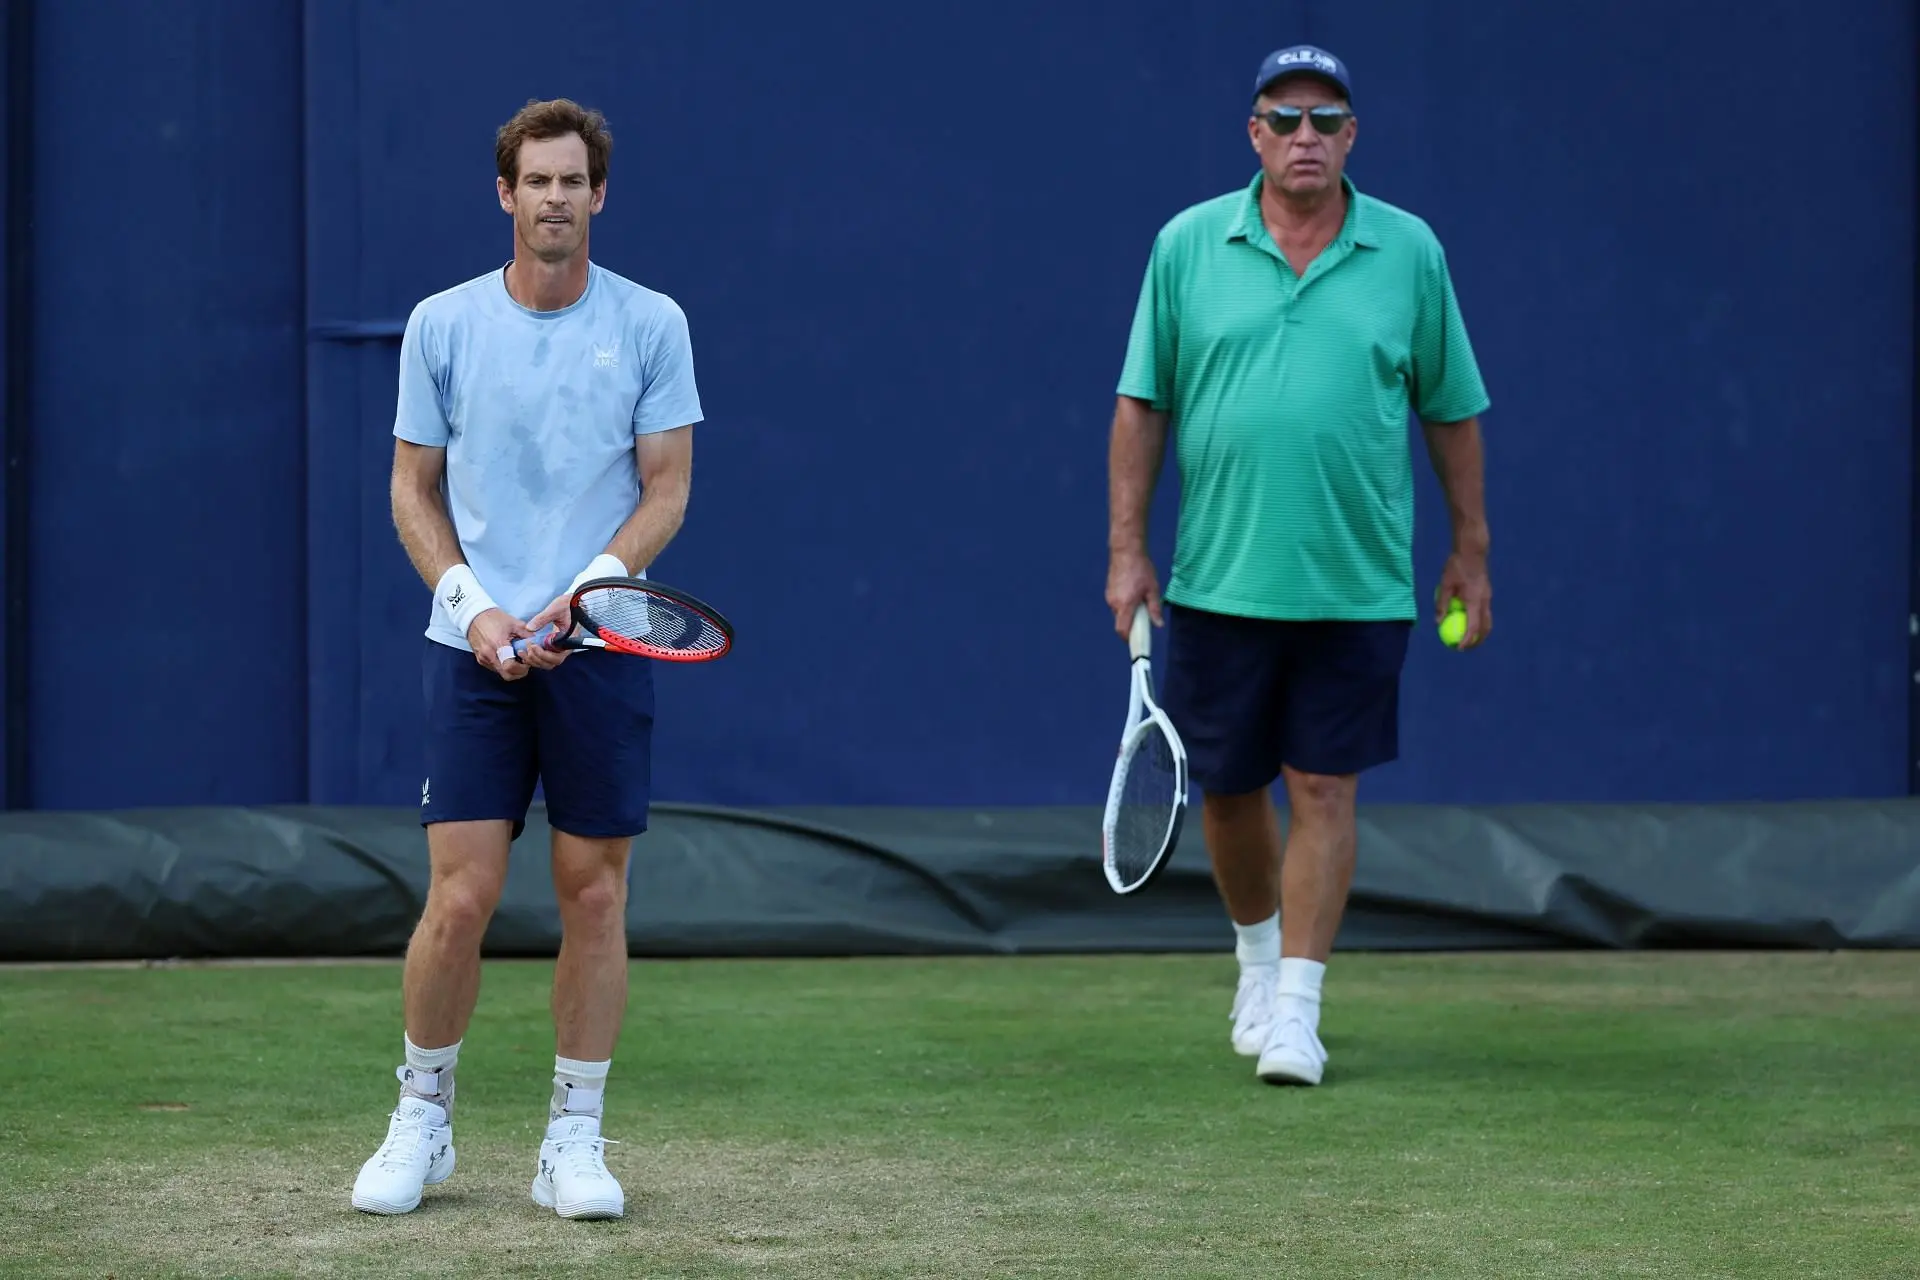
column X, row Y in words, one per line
column 1289, row 402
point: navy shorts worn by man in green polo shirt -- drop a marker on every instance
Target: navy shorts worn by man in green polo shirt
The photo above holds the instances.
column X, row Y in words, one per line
column 1249, row 696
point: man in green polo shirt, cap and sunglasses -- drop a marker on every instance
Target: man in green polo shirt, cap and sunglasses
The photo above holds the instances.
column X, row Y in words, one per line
column 1284, row 335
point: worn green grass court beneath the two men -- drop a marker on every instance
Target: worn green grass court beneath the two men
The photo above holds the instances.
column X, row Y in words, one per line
column 1483, row 1116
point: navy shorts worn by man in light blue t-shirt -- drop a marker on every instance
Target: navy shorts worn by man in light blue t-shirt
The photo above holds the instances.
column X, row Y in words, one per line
column 583, row 732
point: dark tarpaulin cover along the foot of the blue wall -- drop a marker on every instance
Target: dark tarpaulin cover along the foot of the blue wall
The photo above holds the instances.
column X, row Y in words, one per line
column 842, row 882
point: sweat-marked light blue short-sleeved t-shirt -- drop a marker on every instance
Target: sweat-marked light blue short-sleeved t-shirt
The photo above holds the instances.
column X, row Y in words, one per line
column 539, row 414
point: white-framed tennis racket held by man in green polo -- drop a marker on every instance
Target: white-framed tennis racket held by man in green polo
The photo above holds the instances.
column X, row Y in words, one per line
column 1147, row 799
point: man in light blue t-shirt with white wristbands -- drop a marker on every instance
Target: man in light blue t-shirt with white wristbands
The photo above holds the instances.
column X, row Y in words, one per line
column 544, row 435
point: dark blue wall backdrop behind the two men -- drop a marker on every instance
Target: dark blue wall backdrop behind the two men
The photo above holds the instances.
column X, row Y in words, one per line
column 909, row 245
